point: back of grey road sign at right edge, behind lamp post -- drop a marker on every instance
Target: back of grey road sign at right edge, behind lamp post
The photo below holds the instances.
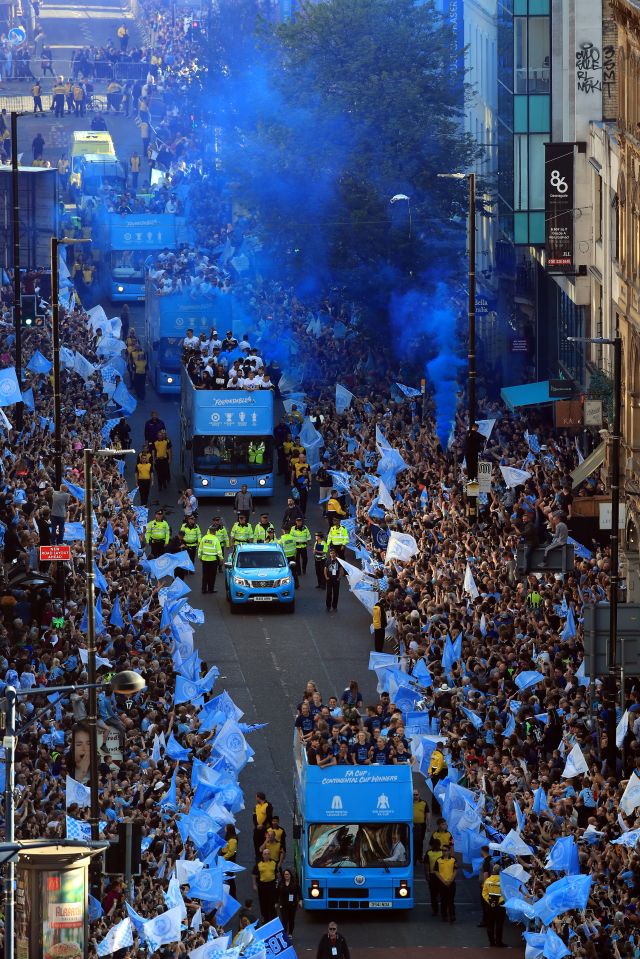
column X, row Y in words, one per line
column 596, row 639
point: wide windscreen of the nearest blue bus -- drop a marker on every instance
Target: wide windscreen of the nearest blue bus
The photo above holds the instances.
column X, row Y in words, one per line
column 358, row 845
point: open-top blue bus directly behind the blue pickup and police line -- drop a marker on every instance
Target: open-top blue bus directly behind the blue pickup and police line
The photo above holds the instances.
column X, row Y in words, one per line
column 226, row 439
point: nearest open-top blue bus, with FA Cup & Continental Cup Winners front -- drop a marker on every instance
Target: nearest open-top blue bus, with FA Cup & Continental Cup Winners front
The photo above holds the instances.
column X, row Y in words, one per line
column 353, row 835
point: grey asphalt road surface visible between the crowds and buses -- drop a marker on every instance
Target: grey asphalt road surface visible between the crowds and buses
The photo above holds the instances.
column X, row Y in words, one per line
column 265, row 657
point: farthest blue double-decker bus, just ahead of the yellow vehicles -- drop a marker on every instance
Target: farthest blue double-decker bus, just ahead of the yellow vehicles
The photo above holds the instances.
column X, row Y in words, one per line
column 128, row 240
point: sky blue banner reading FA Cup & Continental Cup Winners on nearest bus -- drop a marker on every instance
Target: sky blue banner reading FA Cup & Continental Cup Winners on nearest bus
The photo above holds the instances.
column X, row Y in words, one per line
column 359, row 794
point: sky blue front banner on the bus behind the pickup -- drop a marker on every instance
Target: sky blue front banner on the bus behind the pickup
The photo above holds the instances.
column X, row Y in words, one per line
column 232, row 412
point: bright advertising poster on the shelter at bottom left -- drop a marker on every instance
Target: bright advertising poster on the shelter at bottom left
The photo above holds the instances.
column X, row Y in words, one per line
column 63, row 914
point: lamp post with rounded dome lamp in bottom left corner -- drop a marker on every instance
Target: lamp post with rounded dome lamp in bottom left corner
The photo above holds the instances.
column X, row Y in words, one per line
column 126, row 683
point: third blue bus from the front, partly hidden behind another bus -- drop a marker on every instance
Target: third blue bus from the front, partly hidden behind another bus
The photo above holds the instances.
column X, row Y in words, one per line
column 166, row 320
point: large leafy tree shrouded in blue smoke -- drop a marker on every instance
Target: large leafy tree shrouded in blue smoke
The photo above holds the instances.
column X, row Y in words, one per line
column 349, row 104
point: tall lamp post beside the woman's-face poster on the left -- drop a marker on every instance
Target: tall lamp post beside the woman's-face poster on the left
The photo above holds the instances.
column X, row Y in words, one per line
column 92, row 718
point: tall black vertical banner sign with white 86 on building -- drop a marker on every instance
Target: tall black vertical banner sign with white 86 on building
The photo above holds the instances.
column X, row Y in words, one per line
column 558, row 206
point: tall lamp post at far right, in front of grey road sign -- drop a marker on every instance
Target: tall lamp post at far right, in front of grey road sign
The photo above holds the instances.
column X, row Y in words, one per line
column 616, row 343
